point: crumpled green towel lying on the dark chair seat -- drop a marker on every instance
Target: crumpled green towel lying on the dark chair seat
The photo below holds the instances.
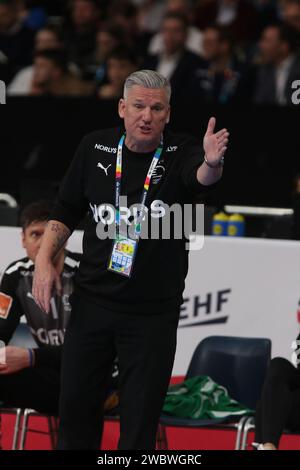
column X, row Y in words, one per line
column 201, row 398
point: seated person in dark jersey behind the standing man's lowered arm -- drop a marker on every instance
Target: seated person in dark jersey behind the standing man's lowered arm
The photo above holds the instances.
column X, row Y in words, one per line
column 30, row 378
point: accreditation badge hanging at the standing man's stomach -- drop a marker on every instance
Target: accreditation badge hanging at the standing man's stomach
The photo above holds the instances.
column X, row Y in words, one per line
column 123, row 254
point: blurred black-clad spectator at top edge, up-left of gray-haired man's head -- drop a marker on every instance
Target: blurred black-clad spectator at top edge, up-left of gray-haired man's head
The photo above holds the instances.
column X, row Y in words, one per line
column 81, row 30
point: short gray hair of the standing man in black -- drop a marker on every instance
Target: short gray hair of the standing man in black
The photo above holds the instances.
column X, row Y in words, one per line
column 147, row 79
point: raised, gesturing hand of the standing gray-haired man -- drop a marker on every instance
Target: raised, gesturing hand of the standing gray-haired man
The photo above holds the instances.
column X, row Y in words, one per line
column 215, row 144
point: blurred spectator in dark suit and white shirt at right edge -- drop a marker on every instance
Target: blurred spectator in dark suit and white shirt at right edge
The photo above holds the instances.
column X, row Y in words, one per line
column 279, row 48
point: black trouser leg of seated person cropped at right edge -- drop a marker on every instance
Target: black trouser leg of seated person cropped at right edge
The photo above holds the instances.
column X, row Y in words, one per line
column 279, row 407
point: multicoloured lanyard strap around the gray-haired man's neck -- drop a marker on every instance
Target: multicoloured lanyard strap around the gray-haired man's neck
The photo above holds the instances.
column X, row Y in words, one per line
column 153, row 164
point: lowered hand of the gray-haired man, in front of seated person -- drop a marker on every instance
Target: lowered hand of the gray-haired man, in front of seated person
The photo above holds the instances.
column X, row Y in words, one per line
column 45, row 279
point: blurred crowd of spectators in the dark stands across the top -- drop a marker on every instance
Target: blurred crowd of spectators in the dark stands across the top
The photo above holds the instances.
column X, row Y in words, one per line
column 220, row 51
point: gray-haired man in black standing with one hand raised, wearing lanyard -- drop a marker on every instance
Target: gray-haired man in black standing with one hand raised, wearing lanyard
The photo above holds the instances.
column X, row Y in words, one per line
column 128, row 290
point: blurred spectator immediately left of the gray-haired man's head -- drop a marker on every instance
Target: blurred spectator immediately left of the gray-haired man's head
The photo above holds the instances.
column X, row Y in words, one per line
column 121, row 63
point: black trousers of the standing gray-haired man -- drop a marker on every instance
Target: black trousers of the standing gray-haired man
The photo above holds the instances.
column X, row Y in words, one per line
column 145, row 346
